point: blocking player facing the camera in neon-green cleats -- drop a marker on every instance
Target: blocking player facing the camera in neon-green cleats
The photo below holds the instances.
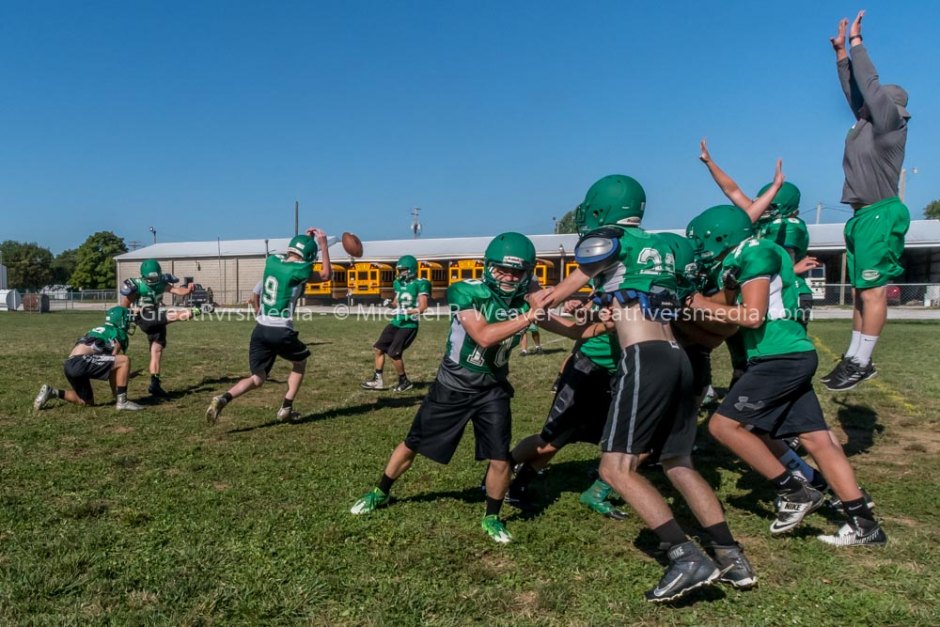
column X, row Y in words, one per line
column 471, row 385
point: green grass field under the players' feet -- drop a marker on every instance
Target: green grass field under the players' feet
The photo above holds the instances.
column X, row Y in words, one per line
column 155, row 518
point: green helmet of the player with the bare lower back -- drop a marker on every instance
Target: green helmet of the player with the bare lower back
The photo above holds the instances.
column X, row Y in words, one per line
column 613, row 200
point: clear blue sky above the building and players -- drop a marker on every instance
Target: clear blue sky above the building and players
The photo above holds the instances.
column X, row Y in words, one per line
column 209, row 119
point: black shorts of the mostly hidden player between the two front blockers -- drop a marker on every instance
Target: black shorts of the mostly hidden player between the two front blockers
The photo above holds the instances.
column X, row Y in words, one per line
column 582, row 402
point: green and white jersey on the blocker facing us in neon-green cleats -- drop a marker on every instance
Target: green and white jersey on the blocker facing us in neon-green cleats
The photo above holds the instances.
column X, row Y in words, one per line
column 466, row 366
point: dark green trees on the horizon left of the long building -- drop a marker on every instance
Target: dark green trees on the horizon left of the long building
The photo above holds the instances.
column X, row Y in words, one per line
column 90, row 266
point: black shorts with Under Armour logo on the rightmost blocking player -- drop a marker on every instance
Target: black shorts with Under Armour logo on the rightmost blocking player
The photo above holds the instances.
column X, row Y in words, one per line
column 775, row 395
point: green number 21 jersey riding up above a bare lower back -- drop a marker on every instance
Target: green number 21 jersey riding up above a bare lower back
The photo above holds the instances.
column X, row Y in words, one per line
column 641, row 262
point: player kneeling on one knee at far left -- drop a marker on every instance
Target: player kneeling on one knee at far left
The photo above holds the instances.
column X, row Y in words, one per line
column 99, row 354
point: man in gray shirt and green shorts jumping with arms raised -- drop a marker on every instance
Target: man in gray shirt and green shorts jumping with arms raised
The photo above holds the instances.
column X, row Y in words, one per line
column 874, row 236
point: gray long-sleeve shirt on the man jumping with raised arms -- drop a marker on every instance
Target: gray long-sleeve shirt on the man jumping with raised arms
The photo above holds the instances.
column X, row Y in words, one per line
column 874, row 147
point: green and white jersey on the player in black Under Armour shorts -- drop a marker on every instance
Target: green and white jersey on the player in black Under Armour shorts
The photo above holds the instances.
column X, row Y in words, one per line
column 780, row 332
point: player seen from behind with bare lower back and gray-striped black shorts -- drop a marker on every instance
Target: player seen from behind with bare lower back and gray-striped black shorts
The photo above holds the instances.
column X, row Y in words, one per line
column 651, row 409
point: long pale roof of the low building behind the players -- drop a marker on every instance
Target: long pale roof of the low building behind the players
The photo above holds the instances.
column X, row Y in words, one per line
column 922, row 234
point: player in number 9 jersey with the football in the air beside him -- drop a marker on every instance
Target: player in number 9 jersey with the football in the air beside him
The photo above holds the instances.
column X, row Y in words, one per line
column 274, row 335
